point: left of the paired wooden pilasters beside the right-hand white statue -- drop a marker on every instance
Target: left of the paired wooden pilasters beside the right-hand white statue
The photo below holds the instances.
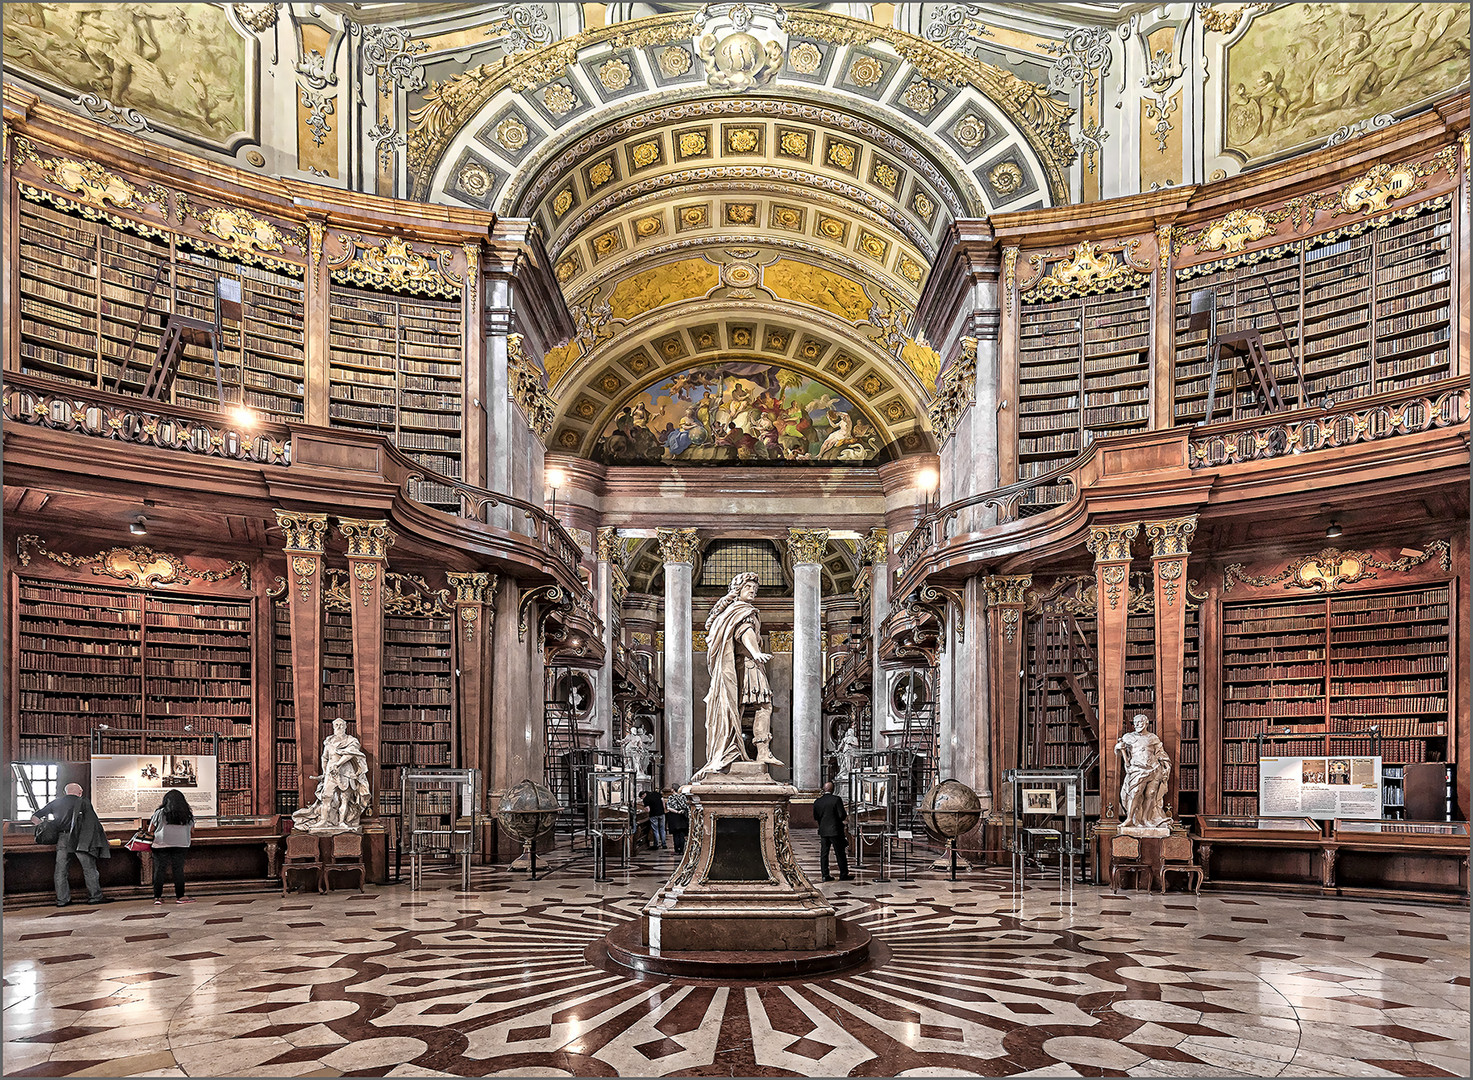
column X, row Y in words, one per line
column 1110, row 544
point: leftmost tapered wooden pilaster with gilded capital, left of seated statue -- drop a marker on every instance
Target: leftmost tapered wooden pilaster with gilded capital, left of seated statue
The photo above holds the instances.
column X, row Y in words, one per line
column 304, row 565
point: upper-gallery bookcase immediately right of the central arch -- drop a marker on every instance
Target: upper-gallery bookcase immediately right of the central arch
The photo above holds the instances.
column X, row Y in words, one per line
column 1083, row 374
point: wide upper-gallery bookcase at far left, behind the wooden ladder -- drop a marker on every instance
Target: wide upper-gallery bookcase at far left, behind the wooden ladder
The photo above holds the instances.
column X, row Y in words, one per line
column 83, row 290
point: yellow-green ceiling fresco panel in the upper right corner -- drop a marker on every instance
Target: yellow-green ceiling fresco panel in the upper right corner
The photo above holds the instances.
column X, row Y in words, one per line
column 1303, row 71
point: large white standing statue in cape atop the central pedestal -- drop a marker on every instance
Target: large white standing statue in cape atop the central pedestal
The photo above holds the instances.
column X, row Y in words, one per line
column 739, row 680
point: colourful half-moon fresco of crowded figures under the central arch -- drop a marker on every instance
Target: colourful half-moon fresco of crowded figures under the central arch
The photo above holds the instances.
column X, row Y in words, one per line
column 739, row 412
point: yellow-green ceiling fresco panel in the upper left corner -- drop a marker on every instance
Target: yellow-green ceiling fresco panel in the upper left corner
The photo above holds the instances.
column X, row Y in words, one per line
column 180, row 66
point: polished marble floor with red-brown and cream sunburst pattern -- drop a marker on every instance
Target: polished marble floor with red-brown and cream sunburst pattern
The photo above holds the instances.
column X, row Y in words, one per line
column 497, row 982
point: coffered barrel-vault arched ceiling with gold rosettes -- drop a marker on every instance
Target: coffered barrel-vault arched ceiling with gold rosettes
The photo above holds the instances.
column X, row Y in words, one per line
column 692, row 228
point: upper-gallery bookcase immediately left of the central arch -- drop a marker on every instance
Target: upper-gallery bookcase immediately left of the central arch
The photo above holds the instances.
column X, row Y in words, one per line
column 397, row 371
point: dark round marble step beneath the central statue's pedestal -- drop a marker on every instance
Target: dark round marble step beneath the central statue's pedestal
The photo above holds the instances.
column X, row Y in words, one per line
column 624, row 948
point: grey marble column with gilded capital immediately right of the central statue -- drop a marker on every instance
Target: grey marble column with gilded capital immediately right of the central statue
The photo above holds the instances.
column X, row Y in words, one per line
column 808, row 549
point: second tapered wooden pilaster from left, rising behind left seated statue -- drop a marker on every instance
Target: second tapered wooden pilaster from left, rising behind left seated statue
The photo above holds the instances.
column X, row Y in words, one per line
column 368, row 562
